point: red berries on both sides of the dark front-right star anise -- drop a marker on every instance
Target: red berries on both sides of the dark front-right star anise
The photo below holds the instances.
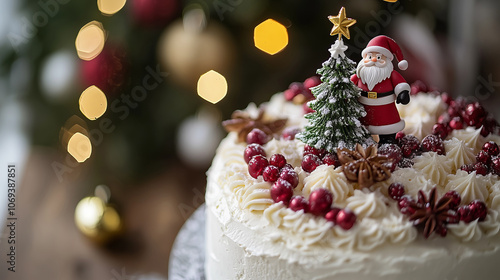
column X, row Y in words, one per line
column 474, row 210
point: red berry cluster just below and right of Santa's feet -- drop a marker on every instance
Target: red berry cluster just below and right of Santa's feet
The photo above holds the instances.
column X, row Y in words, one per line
column 407, row 147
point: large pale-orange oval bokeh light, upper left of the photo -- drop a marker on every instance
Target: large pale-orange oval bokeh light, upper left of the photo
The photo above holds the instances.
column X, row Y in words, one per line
column 90, row 40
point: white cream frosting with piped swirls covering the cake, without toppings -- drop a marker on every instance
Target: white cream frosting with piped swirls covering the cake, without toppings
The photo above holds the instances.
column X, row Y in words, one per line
column 249, row 236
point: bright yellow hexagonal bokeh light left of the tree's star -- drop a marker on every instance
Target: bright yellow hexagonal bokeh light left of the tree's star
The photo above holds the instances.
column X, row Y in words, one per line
column 270, row 37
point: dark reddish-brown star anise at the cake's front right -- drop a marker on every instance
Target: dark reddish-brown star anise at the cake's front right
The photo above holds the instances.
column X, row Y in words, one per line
column 431, row 213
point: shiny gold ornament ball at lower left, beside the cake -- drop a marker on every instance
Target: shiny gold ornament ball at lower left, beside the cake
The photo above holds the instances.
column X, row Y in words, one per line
column 97, row 220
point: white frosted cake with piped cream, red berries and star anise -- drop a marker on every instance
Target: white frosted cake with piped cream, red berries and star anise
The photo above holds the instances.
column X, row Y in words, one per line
column 252, row 233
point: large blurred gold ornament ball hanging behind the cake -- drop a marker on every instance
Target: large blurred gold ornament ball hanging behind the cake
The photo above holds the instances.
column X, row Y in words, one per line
column 187, row 54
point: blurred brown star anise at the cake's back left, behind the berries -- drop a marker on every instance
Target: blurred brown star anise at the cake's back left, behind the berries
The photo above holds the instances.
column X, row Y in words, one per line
column 243, row 123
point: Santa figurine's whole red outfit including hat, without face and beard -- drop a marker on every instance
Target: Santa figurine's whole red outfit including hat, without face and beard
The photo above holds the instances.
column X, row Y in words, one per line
column 382, row 116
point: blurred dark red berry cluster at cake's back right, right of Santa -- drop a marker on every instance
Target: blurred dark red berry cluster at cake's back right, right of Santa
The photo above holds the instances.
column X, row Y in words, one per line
column 461, row 114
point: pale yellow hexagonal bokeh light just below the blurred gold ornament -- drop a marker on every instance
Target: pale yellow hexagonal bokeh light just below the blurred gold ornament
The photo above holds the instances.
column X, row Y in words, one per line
column 212, row 86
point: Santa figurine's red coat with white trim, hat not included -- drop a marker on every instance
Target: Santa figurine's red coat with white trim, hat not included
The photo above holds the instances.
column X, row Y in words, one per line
column 382, row 116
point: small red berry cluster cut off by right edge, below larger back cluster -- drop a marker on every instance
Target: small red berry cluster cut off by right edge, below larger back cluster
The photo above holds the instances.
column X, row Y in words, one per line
column 487, row 160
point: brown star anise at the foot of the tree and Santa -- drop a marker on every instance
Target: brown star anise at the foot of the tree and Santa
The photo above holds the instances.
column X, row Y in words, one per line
column 364, row 166
